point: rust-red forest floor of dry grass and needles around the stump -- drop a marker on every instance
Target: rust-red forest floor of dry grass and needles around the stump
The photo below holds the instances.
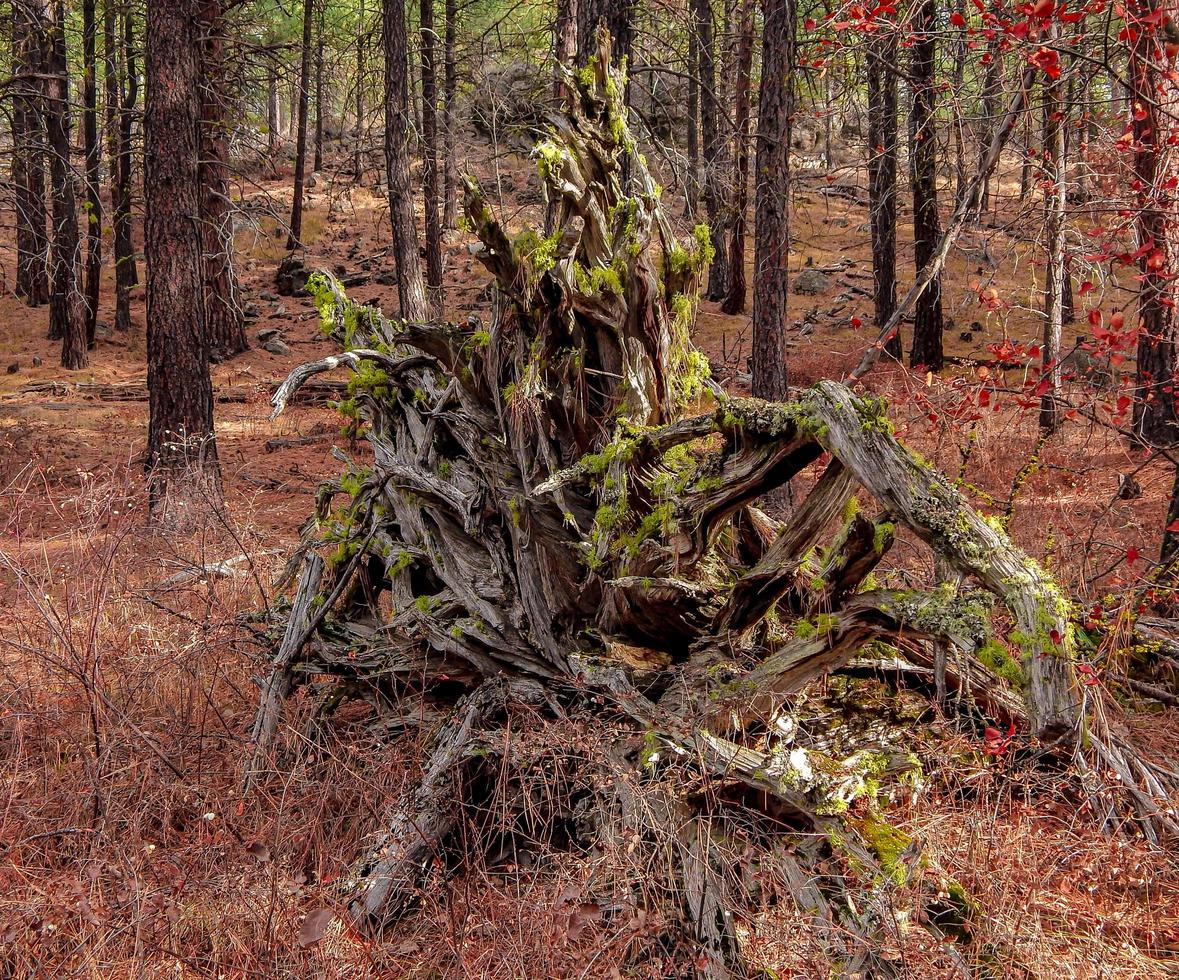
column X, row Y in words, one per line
column 126, row 695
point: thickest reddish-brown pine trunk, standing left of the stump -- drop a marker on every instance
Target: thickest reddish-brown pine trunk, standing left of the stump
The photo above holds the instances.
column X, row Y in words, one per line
column 182, row 451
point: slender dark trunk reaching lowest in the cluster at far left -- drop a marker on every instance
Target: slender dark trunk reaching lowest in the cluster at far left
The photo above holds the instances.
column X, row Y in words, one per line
column 68, row 306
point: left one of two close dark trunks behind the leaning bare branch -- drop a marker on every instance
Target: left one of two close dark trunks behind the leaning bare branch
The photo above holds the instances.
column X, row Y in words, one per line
column 882, row 152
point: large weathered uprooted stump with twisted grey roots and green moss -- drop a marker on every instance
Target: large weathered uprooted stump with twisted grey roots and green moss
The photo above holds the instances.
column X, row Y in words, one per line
column 561, row 523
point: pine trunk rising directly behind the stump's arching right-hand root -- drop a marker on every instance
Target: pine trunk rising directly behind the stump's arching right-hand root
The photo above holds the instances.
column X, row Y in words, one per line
column 772, row 216
